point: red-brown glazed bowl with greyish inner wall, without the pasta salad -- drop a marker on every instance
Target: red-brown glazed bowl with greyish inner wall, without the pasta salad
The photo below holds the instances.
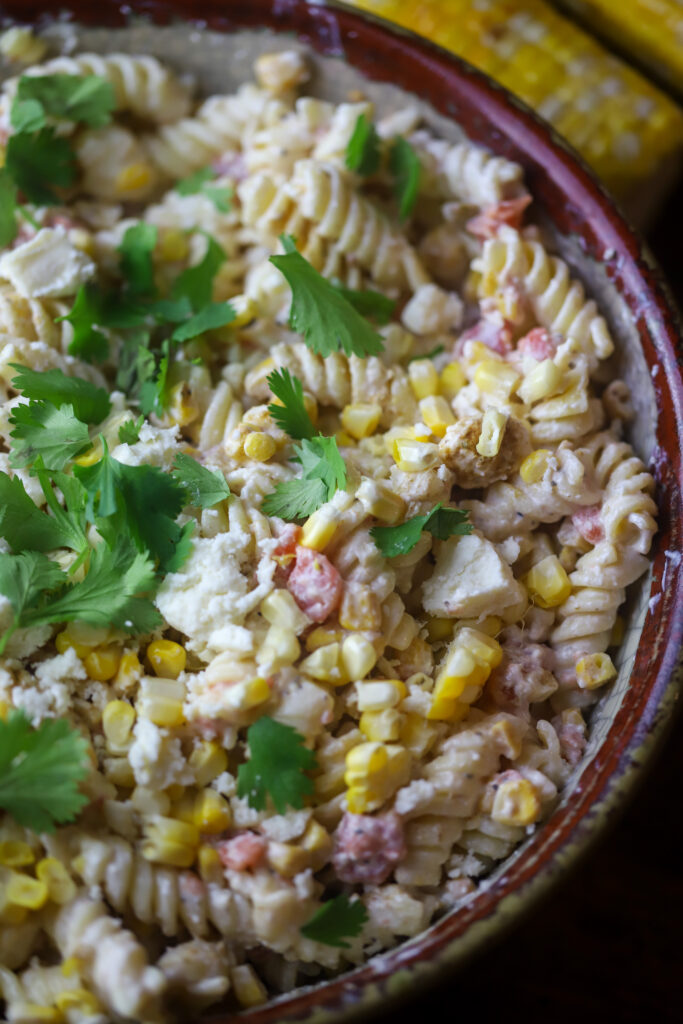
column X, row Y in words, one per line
column 352, row 51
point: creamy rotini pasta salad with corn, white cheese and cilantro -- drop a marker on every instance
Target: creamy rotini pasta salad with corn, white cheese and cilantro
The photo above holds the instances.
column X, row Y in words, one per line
column 316, row 522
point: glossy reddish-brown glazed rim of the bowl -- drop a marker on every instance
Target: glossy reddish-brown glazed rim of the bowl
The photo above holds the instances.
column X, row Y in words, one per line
column 579, row 205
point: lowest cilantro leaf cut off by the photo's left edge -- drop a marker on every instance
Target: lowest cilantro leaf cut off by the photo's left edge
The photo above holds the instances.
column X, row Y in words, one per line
column 40, row 772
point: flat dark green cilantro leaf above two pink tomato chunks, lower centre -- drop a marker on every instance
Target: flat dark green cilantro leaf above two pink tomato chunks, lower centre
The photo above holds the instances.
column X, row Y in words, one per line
column 276, row 769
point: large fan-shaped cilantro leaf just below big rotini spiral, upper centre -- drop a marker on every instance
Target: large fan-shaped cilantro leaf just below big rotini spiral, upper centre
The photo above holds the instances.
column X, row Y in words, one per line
column 327, row 321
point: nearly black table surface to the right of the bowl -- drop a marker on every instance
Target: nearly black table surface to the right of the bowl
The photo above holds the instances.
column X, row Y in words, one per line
column 608, row 947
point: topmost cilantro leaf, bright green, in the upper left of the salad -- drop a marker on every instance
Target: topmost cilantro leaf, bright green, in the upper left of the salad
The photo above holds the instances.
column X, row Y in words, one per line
column 87, row 99
